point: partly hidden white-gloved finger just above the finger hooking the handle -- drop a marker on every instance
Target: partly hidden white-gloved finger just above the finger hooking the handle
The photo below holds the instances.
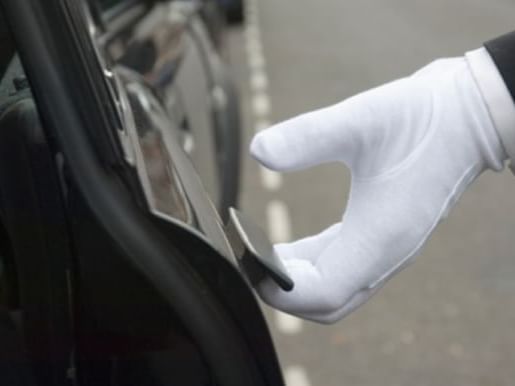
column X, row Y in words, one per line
column 308, row 248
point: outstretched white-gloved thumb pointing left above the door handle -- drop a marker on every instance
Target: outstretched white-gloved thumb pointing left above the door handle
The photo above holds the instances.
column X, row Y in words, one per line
column 310, row 139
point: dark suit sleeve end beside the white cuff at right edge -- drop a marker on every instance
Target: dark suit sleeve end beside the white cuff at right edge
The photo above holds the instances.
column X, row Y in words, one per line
column 502, row 51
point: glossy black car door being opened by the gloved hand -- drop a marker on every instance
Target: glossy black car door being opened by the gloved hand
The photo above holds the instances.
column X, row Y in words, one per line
column 141, row 286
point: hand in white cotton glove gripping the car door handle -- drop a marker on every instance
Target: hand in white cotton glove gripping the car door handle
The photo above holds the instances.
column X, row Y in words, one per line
column 413, row 146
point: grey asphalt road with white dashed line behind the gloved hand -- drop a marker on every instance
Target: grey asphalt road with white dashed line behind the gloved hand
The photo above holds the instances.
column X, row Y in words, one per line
column 449, row 319
